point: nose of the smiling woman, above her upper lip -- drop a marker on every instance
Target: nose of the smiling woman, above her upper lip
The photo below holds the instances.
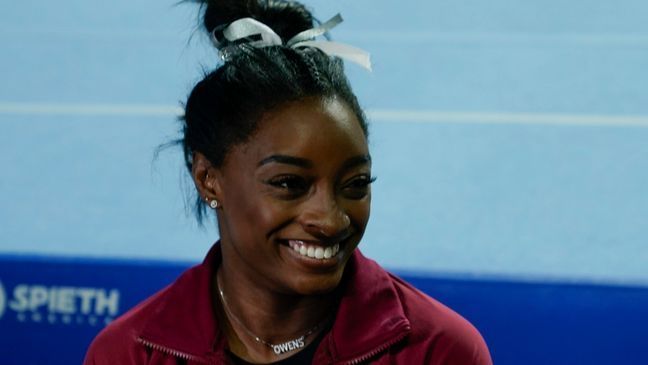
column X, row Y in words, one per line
column 324, row 219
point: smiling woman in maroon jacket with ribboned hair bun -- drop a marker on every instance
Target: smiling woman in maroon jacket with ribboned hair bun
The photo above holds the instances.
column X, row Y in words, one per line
column 276, row 144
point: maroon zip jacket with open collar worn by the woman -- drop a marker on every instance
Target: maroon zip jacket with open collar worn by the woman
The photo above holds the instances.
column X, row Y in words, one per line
column 380, row 320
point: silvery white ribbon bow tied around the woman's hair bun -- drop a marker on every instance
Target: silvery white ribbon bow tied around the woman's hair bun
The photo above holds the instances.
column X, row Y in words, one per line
column 256, row 34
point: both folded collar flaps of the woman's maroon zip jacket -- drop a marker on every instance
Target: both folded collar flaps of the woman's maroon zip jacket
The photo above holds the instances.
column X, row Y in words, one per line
column 370, row 315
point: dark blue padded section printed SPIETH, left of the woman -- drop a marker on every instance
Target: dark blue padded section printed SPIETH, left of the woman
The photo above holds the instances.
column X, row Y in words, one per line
column 36, row 333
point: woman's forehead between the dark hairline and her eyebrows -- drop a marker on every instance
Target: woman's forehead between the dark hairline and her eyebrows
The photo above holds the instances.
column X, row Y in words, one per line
column 310, row 128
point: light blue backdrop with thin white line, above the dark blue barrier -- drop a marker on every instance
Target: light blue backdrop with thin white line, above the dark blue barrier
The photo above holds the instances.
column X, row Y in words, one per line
column 509, row 138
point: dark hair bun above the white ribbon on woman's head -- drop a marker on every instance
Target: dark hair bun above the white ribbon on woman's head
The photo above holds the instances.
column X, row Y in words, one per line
column 286, row 18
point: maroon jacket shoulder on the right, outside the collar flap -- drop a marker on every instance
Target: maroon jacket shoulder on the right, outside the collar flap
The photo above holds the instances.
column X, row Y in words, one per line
column 446, row 336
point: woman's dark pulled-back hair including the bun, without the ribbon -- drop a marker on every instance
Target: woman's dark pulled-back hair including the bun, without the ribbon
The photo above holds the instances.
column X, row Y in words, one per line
column 224, row 108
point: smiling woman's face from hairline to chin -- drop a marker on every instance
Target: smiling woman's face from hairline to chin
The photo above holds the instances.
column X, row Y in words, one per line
column 295, row 198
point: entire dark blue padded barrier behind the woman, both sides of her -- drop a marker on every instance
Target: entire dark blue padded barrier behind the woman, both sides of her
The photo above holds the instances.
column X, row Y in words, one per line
column 523, row 323
